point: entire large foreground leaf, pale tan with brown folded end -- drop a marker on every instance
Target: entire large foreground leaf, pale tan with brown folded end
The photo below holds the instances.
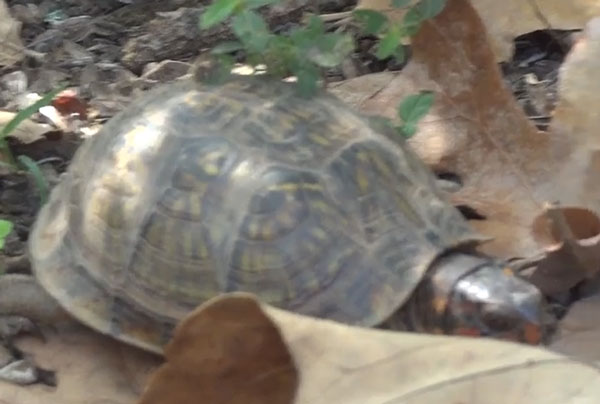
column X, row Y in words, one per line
column 342, row 364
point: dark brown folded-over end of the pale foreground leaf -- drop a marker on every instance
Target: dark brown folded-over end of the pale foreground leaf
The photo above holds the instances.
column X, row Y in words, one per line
column 227, row 352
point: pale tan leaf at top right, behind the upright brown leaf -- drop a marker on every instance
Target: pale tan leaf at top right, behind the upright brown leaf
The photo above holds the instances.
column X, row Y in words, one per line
column 507, row 19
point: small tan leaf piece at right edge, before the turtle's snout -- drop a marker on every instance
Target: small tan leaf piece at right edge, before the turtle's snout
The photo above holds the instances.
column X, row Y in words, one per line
column 579, row 331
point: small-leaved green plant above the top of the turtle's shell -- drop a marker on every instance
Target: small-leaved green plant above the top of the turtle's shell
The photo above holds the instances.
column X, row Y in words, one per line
column 305, row 51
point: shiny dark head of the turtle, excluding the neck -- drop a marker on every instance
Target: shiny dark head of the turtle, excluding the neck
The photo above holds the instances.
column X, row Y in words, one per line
column 493, row 301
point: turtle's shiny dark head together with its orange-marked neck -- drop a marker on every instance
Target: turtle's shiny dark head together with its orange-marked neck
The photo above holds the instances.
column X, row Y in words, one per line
column 476, row 296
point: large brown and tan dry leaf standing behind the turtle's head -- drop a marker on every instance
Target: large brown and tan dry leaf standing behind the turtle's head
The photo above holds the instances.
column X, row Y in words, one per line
column 478, row 131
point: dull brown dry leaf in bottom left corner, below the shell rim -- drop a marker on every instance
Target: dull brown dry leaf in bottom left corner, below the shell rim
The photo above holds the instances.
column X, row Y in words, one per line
column 90, row 368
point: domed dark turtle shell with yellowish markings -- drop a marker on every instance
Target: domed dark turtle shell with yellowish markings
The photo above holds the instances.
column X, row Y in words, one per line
column 196, row 190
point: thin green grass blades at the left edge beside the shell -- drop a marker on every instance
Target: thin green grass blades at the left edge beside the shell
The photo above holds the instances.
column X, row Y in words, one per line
column 23, row 161
